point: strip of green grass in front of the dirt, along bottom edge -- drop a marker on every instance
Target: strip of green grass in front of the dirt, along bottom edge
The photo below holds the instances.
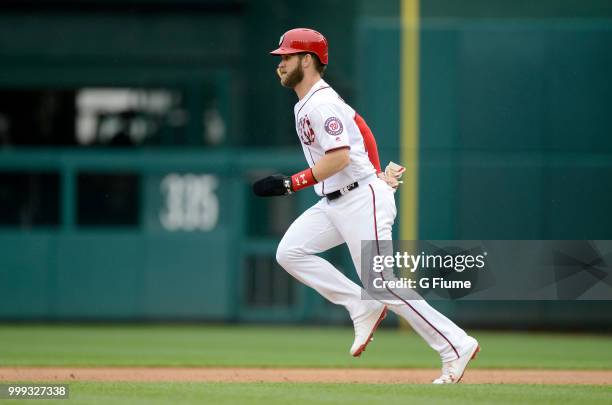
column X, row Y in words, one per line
column 358, row 394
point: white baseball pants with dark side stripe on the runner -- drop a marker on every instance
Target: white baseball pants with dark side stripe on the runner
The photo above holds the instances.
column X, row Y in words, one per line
column 365, row 213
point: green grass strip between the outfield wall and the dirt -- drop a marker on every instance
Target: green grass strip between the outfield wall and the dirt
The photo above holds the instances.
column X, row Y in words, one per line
column 271, row 346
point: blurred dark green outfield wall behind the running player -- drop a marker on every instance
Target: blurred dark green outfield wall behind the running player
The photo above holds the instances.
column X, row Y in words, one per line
column 500, row 110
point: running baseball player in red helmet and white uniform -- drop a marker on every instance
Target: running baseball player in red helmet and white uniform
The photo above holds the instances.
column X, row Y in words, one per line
column 357, row 203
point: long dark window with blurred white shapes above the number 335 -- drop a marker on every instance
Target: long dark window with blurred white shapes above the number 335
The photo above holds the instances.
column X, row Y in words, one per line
column 112, row 117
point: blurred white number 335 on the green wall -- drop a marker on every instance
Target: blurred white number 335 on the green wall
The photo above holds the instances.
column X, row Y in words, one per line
column 190, row 202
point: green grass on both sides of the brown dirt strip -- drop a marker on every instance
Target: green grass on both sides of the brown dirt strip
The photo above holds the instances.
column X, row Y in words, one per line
column 263, row 346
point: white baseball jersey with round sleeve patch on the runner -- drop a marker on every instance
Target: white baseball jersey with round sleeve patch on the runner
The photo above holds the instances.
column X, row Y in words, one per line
column 324, row 122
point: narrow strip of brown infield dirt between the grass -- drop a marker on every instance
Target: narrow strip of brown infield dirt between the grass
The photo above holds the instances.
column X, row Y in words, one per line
column 312, row 375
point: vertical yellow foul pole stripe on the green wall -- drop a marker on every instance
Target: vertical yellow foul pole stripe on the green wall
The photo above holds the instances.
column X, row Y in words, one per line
column 409, row 119
